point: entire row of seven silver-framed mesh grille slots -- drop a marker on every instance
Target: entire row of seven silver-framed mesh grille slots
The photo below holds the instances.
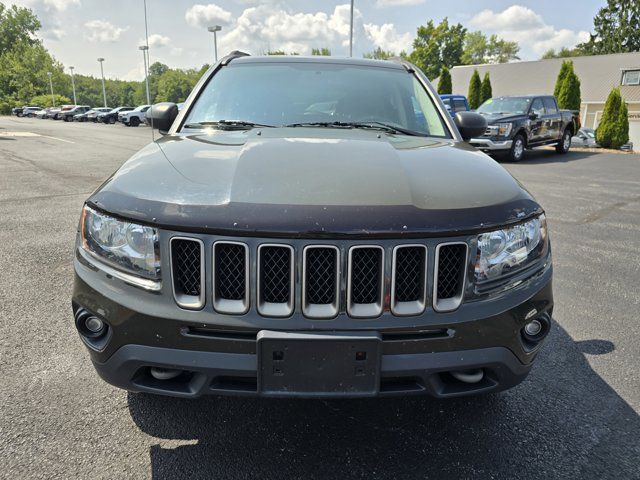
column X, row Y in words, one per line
column 276, row 267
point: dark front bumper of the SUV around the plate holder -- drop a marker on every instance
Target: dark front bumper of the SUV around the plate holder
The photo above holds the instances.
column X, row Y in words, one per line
column 219, row 352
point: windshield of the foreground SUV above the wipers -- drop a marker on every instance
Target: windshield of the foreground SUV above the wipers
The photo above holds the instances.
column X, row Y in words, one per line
column 324, row 94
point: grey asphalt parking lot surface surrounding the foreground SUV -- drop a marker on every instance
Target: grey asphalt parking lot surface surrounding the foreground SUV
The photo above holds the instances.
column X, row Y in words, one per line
column 576, row 416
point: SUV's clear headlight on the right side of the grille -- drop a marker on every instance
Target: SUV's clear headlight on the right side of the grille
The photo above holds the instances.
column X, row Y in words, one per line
column 504, row 252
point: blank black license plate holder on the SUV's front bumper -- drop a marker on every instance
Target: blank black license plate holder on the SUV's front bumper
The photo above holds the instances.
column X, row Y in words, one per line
column 318, row 364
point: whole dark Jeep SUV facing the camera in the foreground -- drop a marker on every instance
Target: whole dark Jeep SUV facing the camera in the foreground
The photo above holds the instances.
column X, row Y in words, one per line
column 265, row 247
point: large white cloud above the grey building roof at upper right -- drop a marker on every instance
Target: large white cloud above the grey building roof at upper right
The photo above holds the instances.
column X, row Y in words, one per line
column 528, row 28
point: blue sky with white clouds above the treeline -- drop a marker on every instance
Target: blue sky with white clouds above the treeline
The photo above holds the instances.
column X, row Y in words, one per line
column 77, row 32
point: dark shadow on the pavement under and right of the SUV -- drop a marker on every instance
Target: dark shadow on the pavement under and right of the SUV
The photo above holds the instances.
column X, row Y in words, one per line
column 564, row 421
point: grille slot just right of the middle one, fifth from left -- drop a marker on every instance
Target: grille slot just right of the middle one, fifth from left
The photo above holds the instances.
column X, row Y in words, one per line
column 366, row 281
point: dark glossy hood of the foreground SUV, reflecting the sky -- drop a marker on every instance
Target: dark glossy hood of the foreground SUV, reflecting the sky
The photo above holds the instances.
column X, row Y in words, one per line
column 313, row 182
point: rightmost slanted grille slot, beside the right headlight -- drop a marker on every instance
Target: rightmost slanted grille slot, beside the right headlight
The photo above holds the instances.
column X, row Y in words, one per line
column 449, row 275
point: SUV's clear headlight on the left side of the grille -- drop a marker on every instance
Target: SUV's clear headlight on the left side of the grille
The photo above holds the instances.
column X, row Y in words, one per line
column 124, row 245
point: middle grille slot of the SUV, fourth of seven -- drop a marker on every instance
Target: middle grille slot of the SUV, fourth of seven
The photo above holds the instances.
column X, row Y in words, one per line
column 320, row 281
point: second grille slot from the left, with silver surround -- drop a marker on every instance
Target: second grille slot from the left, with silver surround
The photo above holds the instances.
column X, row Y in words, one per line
column 230, row 277
